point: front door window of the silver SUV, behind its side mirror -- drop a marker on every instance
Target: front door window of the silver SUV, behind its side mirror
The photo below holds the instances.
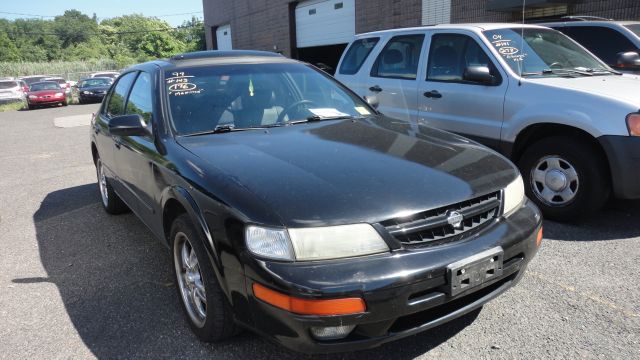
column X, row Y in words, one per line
column 451, row 54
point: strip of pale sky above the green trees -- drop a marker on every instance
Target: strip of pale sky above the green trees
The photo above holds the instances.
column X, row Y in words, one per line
column 173, row 12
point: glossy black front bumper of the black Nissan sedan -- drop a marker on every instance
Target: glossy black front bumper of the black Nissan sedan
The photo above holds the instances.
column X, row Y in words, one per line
column 405, row 292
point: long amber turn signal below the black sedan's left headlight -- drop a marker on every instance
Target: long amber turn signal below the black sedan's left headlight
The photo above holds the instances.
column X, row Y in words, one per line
column 309, row 307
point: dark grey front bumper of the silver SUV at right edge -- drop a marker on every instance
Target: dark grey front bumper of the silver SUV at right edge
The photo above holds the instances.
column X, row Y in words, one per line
column 623, row 153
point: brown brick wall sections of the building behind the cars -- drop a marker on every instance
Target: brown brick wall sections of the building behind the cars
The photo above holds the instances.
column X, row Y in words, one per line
column 264, row 24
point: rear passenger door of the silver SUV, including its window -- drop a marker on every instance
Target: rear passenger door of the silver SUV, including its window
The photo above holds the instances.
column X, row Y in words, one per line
column 393, row 78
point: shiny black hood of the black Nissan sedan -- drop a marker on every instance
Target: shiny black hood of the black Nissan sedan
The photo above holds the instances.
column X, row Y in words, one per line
column 351, row 171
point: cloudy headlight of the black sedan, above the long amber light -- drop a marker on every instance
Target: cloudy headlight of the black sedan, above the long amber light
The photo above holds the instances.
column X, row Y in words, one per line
column 319, row 243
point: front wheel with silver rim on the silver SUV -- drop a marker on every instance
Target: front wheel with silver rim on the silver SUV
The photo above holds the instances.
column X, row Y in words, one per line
column 566, row 177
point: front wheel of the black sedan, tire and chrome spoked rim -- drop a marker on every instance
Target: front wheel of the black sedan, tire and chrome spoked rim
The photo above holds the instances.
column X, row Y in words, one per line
column 206, row 307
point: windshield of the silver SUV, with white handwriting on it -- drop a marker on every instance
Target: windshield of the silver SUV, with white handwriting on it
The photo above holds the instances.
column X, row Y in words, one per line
column 543, row 51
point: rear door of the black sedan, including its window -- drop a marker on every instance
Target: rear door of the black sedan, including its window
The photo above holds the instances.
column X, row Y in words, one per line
column 105, row 143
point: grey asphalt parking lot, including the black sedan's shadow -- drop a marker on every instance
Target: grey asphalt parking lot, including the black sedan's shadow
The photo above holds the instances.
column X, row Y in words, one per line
column 78, row 283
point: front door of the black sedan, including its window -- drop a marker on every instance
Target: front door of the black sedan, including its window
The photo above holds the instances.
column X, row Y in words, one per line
column 136, row 156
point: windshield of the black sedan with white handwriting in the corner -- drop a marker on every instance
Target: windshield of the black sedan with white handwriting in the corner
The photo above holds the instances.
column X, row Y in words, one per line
column 242, row 96
